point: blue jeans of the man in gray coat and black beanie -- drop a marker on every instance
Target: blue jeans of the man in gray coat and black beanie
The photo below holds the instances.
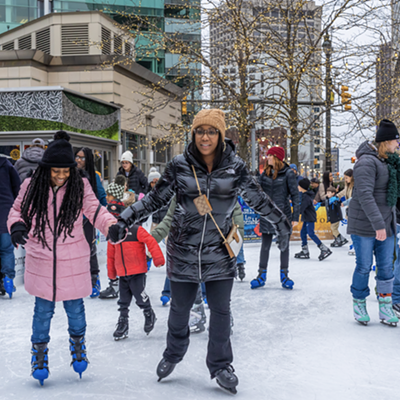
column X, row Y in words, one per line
column 365, row 248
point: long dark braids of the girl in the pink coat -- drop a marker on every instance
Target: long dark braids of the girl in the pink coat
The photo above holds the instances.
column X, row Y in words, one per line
column 34, row 204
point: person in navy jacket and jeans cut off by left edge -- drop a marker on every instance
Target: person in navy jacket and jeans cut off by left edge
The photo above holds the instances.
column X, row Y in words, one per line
column 10, row 183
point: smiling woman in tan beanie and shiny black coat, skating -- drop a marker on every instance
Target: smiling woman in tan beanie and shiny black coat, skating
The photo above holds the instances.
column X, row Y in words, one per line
column 195, row 249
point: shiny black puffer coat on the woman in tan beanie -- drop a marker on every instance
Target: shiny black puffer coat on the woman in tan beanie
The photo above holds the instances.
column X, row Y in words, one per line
column 195, row 249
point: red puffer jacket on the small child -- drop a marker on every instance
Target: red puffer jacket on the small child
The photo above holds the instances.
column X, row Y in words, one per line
column 129, row 257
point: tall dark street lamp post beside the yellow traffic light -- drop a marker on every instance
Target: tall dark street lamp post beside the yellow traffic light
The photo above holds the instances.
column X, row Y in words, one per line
column 327, row 47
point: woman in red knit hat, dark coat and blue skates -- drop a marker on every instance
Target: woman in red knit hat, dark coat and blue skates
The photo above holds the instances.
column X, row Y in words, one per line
column 279, row 182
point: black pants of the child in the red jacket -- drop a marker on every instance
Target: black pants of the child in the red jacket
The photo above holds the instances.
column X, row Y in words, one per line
column 132, row 286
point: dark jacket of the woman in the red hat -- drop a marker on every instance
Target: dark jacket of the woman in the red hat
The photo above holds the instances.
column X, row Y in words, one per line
column 280, row 191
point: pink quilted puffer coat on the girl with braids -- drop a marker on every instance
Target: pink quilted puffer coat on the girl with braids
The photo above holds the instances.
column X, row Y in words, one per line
column 63, row 274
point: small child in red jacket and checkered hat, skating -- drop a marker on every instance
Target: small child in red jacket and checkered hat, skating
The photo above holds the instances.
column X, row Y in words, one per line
column 128, row 261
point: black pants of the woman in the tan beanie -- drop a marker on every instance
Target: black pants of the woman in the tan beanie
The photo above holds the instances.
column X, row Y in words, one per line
column 219, row 352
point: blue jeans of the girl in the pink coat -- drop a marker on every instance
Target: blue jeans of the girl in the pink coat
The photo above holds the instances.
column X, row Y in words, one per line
column 43, row 313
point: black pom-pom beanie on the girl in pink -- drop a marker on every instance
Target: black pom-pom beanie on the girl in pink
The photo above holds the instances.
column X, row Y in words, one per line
column 59, row 153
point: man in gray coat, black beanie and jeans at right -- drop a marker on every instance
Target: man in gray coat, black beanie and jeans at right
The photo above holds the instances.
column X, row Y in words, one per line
column 372, row 221
